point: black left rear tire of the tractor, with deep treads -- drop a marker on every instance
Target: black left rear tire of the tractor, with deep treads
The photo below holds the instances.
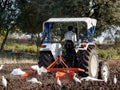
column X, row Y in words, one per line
column 45, row 59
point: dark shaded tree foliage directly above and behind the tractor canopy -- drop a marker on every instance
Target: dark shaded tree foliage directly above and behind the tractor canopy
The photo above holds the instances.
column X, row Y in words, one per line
column 35, row 12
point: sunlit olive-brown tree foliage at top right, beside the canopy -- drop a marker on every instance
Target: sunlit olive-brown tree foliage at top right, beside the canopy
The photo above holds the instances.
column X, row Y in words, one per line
column 107, row 13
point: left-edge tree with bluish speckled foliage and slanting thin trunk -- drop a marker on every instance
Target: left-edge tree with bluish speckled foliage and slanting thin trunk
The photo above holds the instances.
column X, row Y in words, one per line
column 8, row 16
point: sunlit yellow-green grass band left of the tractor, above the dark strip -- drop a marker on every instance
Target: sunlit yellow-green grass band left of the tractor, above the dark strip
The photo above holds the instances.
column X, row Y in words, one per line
column 19, row 45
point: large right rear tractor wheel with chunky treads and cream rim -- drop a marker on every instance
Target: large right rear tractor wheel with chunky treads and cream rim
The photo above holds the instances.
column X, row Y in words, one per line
column 88, row 60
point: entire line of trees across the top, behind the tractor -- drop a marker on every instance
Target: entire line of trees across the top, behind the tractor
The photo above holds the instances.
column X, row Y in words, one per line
column 28, row 15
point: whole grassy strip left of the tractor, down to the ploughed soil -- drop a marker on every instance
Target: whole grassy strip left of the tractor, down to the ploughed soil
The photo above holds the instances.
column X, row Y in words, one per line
column 18, row 50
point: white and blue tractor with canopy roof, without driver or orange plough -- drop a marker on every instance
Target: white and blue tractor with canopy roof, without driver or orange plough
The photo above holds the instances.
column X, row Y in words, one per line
column 52, row 46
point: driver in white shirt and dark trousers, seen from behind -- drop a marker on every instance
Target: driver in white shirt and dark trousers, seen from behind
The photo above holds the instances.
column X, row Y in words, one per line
column 70, row 40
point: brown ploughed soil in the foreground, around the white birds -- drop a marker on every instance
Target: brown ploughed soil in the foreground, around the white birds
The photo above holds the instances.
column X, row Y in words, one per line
column 17, row 83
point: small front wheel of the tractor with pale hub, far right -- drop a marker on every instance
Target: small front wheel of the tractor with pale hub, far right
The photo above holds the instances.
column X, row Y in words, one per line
column 103, row 71
